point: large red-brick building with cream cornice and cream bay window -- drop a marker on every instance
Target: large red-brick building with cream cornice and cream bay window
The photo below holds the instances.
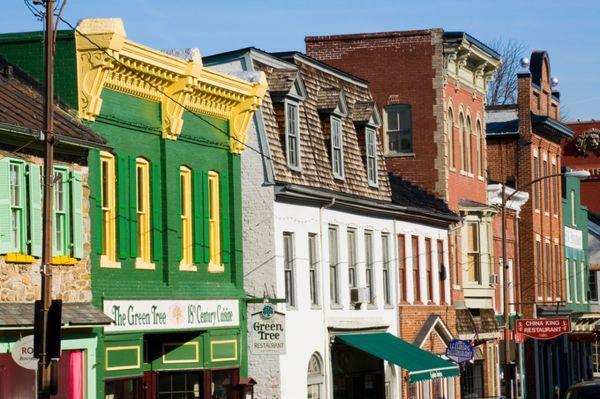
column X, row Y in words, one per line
column 431, row 86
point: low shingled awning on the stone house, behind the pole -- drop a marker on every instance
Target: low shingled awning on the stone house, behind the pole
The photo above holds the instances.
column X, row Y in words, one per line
column 20, row 315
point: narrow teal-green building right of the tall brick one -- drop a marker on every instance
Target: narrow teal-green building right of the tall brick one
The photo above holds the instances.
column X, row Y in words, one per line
column 576, row 347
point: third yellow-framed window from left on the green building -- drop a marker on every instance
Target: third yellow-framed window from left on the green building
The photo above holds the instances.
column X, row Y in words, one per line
column 185, row 187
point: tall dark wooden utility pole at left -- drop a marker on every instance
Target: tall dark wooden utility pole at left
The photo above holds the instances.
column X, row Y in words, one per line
column 44, row 366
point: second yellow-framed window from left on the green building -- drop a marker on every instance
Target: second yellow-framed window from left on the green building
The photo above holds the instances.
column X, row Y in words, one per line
column 142, row 196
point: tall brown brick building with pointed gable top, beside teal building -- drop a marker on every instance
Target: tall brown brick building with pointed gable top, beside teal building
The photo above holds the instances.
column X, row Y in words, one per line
column 523, row 143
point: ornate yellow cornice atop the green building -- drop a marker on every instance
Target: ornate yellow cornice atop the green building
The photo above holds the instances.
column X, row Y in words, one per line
column 175, row 83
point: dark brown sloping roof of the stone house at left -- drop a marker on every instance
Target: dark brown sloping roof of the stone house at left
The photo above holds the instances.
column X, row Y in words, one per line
column 22, row 105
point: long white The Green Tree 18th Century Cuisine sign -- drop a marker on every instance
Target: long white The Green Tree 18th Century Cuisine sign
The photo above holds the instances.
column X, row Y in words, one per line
column 137, row 315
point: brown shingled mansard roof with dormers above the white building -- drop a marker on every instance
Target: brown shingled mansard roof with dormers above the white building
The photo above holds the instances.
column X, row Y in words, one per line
column 314, row 133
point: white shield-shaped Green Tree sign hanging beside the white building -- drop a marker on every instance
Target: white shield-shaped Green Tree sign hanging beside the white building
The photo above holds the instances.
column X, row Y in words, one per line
column 267, row 331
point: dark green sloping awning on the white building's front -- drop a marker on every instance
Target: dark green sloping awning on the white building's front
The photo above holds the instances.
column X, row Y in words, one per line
column 421, row 365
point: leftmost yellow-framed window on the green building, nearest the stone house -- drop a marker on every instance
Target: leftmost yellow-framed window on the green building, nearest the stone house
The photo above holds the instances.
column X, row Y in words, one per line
column 108, row 205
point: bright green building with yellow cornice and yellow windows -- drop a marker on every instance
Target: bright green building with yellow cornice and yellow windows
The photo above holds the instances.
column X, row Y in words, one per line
column 165, row 206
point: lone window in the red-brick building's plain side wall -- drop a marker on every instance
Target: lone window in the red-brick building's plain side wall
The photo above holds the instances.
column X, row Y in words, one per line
column 399, row 135
